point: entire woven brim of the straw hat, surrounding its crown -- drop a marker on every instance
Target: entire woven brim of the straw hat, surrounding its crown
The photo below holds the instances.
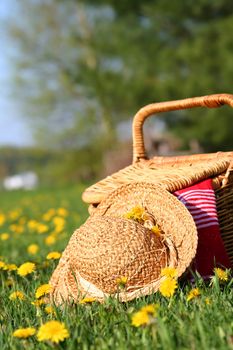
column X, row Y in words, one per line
column 171, row 216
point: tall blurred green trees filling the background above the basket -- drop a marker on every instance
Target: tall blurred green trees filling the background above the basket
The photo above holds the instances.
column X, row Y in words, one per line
column 84, row 66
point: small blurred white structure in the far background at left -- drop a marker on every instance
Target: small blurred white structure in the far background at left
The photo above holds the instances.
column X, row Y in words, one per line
column 25, row 181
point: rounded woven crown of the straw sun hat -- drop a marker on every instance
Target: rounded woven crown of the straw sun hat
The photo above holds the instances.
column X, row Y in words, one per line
column 107, row 248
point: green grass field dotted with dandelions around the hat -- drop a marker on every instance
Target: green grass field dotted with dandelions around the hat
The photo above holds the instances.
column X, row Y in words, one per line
column 33, row 224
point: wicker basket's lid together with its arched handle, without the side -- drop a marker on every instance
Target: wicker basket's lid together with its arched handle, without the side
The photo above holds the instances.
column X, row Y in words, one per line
column 190, row 169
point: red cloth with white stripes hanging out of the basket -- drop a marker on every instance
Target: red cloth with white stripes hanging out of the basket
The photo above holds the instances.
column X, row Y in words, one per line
column 200, row 200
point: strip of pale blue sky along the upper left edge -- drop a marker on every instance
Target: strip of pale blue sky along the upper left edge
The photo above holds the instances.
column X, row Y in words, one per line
column 13, row 127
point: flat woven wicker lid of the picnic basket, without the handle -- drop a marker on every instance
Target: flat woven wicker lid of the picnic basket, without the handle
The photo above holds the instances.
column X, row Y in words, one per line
column 172, row 177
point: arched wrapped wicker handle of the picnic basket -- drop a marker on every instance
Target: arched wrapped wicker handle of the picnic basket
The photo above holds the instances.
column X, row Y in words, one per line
column 209, row 101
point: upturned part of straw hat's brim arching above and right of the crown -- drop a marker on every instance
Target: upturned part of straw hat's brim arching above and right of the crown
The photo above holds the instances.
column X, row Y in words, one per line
column 167, row 211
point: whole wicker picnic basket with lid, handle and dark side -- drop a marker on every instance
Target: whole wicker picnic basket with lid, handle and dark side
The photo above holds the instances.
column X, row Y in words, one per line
column 175, row 173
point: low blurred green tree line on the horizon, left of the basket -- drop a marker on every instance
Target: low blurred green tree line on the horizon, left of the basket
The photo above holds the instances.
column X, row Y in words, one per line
column 53, row 167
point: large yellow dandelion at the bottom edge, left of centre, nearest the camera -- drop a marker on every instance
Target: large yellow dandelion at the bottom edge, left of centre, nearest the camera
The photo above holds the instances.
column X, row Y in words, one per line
column 54, row 331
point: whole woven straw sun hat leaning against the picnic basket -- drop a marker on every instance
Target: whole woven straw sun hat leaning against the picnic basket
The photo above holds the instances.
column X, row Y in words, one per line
column 136, row 231
